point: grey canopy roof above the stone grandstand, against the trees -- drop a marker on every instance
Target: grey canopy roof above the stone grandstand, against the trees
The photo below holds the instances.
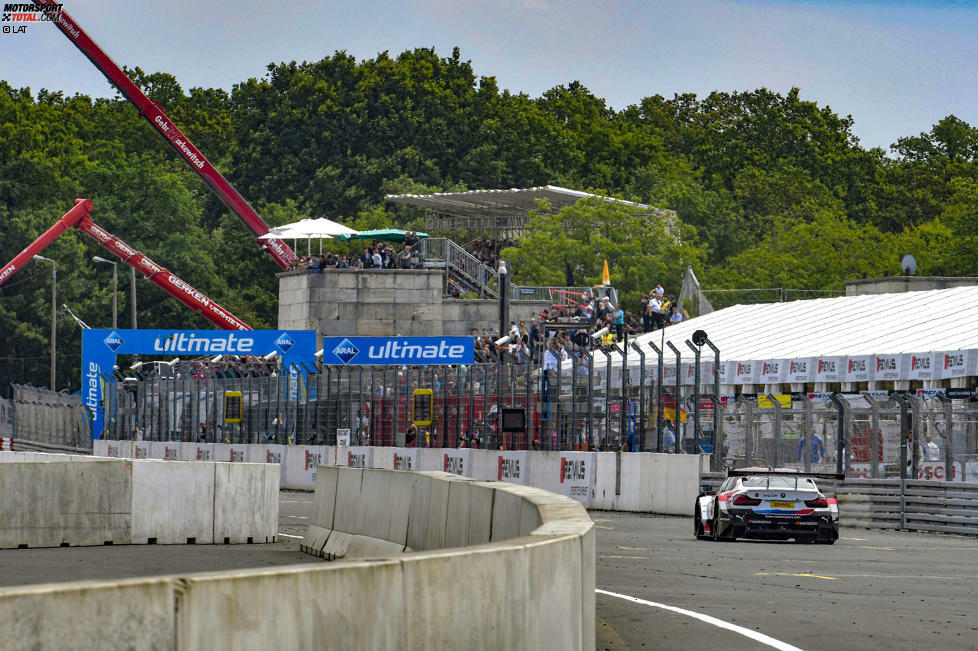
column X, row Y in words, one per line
column 514, row 203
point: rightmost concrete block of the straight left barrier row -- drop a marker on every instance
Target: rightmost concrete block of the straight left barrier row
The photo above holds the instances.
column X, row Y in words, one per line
column 245, row 502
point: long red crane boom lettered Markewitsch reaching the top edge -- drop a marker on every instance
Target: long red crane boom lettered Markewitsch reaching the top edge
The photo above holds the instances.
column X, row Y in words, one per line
column 153, row 113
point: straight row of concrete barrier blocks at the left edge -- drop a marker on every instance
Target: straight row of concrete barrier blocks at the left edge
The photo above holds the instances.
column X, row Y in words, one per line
column 50, row 500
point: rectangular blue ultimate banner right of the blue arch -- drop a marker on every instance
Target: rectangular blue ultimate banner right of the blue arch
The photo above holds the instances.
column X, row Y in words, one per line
column 361, row 351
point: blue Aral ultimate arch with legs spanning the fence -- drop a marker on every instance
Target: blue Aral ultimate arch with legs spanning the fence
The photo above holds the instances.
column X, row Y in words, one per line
column 100, row 347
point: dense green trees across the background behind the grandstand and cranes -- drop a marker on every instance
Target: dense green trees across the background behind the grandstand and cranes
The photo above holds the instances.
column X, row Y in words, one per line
column 770, row 189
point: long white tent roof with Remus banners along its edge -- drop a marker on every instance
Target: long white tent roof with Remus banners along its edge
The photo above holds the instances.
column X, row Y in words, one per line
column 898, row 329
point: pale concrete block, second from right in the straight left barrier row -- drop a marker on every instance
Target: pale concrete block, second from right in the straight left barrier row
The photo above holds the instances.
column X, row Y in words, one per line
column 172, row 502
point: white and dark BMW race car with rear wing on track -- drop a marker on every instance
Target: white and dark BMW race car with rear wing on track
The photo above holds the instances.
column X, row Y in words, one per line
column 769, row 504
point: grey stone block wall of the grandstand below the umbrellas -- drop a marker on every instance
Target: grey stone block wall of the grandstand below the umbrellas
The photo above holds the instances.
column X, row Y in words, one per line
column 385, row 303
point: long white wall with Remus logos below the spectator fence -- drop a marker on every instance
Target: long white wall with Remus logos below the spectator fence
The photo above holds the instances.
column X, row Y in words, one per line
column 634, row 481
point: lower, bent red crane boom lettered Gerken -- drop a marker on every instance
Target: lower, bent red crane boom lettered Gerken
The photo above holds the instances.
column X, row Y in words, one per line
column 162, row 277
